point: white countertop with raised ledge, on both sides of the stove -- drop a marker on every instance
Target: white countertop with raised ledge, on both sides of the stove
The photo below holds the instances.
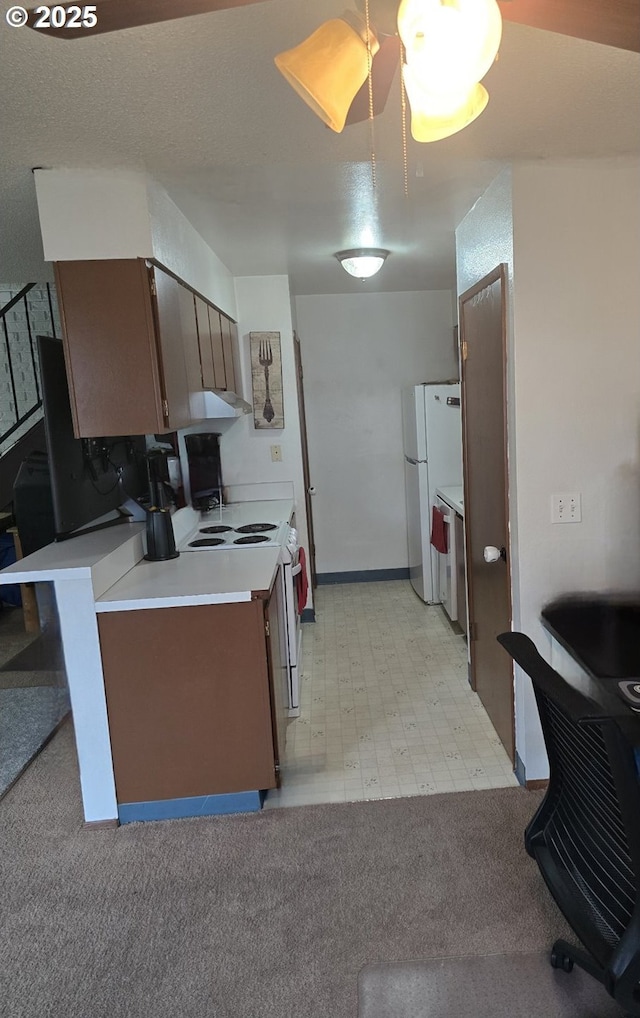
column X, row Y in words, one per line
column 124, row 581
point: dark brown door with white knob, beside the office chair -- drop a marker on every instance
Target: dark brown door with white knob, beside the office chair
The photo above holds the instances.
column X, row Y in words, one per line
column 483, row 322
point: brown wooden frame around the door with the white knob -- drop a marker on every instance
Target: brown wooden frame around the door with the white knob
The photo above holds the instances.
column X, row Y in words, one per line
column 500, row 273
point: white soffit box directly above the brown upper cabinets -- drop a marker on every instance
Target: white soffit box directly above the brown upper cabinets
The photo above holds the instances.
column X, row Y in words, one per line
column 110, row 214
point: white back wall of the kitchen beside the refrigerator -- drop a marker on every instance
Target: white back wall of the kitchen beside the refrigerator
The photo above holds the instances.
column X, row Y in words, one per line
column 359, row 352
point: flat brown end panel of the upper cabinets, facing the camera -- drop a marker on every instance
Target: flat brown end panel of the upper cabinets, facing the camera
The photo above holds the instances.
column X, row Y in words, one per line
column 110, row 348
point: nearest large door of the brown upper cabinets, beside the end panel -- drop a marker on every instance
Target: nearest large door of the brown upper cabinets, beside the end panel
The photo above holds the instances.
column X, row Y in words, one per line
column 176, row 387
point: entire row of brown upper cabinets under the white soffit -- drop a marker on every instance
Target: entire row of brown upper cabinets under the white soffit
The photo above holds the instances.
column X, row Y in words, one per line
column 140, row 347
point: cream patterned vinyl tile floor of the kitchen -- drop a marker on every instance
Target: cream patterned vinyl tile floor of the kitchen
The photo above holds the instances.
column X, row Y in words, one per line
column 386, row 707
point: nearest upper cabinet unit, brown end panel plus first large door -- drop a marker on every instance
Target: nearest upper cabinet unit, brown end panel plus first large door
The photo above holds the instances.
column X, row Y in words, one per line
column 124, row 348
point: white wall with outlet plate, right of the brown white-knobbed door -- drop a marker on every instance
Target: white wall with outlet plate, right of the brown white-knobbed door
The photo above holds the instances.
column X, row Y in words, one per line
column 574, row 384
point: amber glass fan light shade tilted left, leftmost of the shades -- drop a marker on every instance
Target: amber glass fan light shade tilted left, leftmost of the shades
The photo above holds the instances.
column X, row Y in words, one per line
column 328, row 70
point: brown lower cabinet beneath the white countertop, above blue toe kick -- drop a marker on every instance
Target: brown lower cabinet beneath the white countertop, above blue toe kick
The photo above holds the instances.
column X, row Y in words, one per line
column 192, row 701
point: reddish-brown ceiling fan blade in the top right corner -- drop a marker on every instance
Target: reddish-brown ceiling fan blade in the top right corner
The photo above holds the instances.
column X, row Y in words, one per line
column 613, row 23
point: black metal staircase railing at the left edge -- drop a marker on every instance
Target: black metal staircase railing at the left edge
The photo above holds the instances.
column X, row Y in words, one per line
column 26, row 399
